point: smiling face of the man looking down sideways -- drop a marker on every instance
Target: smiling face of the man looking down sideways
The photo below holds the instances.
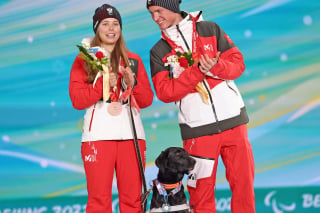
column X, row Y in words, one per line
column 163, row 17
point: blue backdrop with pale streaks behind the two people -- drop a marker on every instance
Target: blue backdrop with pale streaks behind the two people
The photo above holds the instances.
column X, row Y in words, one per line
column 41, row 132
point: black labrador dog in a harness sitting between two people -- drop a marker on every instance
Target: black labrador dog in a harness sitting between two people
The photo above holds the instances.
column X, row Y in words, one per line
column 168, row 191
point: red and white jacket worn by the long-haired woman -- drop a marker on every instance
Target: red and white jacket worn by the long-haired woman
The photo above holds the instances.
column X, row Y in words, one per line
column 98, row 123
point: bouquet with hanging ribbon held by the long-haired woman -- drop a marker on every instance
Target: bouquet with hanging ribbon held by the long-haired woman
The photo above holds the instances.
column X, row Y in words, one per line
column 98, row 60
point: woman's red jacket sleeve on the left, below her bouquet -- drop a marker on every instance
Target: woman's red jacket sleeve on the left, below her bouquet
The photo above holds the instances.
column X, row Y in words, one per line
column 81, row 93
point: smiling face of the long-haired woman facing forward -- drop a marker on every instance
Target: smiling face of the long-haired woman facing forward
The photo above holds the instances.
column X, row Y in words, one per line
column 109, row 31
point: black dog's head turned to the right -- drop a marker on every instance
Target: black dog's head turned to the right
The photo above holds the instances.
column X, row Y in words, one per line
column 173, row 163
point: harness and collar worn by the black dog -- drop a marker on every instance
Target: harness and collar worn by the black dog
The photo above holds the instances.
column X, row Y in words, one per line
column 176, row 187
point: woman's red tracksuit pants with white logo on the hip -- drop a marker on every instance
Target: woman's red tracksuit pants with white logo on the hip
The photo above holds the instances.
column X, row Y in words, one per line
column 101, row 159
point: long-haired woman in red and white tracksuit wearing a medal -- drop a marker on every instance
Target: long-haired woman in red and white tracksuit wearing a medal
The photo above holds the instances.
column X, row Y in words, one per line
column 107, row 139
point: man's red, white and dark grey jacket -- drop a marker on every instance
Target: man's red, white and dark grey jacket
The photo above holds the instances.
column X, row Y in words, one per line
column 226, row 108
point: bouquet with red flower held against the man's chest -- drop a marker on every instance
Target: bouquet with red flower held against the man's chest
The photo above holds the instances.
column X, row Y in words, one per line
column 179, row 61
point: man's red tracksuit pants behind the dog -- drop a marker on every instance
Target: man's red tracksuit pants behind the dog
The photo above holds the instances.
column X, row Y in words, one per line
column 236, row 153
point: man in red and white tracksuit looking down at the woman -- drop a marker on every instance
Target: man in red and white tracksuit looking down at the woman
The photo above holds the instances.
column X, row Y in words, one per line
column 212, row 115
